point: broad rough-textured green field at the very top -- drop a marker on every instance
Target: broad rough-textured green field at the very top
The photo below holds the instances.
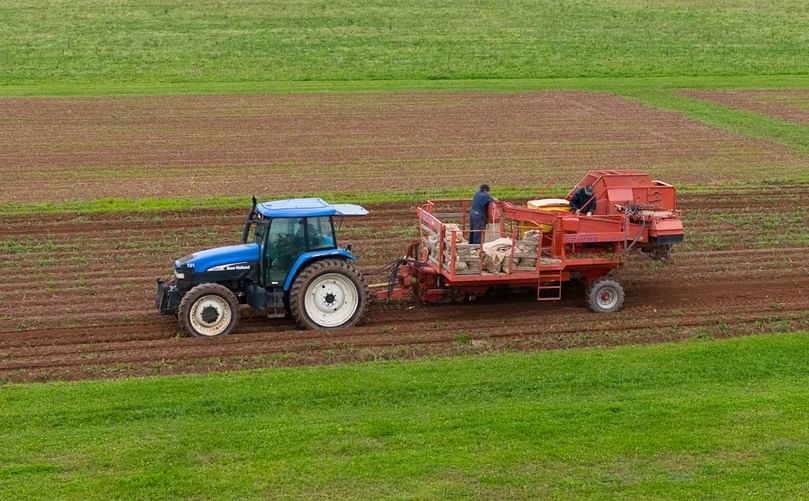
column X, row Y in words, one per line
column 91, row 41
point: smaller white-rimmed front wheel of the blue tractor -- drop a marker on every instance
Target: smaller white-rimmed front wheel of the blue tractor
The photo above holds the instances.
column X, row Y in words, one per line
column 209, row 310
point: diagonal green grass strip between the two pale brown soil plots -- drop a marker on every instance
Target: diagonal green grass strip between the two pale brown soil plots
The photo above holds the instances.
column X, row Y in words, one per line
column 747, row 123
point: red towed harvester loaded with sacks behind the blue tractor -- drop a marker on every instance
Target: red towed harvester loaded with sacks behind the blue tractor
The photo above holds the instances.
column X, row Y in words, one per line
column 540, row 246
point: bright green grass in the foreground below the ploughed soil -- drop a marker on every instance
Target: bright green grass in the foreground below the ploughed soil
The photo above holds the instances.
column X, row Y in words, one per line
column 722, row 419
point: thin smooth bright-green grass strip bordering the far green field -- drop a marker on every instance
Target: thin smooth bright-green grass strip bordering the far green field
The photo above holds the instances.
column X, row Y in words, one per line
column 604, row 84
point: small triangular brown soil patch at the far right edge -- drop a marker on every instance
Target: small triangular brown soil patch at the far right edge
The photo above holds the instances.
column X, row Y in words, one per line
column 791, row 105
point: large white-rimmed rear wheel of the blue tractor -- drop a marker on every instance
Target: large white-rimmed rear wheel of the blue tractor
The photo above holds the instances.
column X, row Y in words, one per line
column 328, row 294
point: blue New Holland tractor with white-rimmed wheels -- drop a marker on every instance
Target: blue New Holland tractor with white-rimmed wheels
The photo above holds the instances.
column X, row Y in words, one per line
column 288, row 262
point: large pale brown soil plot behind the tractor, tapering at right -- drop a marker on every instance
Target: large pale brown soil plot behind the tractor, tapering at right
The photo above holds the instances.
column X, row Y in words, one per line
column 84, row 148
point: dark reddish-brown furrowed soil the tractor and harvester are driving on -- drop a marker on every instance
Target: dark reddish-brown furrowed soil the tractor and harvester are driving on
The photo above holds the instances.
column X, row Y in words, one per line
column 77, row 293
